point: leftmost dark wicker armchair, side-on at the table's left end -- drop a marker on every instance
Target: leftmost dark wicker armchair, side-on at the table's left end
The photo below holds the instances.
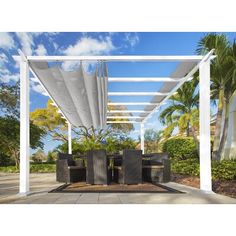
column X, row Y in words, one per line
column 68, row 170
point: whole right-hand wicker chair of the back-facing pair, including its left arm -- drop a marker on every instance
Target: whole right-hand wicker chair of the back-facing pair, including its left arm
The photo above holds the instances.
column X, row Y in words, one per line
column 130, row 169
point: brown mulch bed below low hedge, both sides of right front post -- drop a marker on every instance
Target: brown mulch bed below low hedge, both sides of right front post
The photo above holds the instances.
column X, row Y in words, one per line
column 224, row 187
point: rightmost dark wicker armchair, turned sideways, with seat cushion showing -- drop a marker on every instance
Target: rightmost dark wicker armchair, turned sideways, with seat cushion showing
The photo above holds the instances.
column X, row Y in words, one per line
column 157, row 168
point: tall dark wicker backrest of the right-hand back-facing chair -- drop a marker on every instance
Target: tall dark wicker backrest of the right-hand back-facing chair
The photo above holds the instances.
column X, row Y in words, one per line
column 132, row 166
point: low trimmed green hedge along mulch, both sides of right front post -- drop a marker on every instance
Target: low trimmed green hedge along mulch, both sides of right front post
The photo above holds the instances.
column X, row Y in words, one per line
column 224, row 170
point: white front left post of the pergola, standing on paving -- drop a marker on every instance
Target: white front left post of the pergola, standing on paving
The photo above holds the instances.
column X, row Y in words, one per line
column 24, row 127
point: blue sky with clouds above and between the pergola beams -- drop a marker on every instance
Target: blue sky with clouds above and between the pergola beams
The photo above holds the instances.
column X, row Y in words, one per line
column 99, row 44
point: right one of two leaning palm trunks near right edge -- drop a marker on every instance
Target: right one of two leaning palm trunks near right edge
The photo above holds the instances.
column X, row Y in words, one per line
column 225, row 131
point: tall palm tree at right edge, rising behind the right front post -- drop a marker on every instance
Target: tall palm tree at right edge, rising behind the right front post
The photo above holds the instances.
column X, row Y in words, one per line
column 222, row 82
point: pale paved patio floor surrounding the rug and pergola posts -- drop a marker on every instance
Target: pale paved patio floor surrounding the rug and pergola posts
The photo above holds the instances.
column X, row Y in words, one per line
column 41, row 184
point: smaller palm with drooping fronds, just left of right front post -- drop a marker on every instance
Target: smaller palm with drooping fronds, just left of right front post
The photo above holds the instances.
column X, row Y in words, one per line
column 180, row 113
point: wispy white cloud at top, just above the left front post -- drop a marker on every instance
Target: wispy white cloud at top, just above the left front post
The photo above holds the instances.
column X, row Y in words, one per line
column 26, row 41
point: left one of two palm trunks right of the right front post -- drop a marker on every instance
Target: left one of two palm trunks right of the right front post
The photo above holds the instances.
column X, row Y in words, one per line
column 218, row 125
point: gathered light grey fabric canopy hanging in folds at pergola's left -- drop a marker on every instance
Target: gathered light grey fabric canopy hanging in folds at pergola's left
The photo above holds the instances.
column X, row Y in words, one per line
column 81, row 97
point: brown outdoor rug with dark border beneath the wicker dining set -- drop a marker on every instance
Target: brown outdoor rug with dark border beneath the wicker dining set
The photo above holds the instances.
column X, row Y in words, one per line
column 82, row 187
